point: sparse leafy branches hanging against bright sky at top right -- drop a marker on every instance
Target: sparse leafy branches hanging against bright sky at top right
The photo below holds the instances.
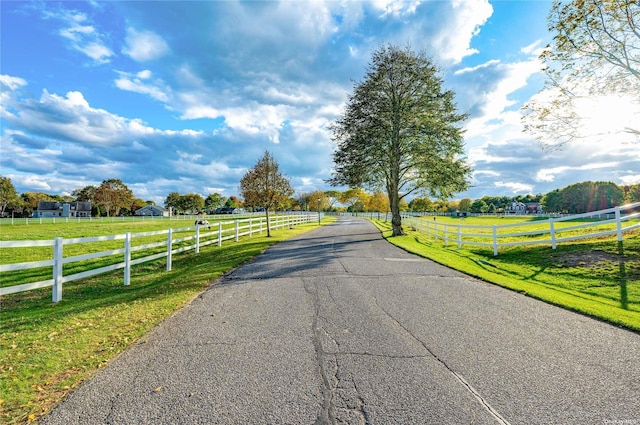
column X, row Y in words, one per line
column 595, row 52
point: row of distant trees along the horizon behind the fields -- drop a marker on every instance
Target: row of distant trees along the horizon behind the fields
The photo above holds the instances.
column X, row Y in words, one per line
column 113, row 197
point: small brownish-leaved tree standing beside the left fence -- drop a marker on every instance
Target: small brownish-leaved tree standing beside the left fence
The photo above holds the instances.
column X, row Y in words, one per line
column 264, row 186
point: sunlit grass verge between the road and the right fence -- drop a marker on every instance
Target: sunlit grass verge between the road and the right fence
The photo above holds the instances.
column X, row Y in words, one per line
column 598, row 277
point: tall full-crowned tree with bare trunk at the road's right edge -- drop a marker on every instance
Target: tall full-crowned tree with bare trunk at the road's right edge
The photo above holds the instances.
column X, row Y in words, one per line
column 400, row 131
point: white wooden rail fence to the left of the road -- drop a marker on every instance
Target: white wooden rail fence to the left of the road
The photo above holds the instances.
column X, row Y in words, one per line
column 216, row 233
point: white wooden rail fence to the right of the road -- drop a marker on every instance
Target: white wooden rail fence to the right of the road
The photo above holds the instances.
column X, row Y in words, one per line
column 542, row 232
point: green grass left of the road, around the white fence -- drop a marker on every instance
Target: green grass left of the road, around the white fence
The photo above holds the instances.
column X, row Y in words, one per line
column 48, row 349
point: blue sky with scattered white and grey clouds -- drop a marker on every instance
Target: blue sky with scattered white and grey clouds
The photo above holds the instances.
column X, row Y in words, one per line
column 186, row 96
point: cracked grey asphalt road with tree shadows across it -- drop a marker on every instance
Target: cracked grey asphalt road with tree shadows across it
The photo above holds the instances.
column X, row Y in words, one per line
column 339, row 326
